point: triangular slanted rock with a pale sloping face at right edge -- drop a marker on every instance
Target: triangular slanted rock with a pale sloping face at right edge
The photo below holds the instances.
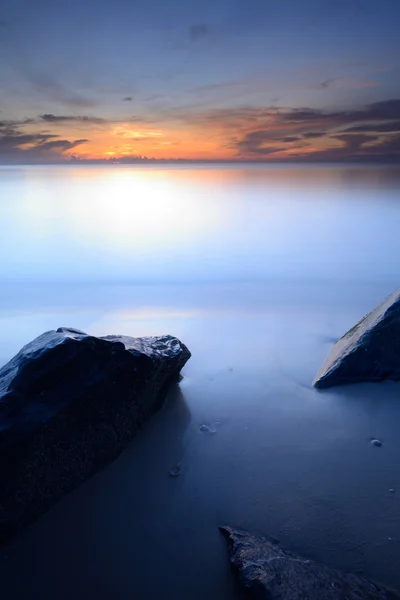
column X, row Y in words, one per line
column 370, row 351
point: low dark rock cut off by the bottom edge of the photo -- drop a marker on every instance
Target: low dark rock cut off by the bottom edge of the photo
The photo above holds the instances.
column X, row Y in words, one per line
column 268, row 572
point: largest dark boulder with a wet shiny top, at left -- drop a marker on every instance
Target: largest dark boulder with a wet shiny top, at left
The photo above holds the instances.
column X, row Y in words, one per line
column 69, row 405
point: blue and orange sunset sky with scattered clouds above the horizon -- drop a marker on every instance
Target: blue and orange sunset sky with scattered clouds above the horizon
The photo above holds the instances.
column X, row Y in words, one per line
column 126, row 81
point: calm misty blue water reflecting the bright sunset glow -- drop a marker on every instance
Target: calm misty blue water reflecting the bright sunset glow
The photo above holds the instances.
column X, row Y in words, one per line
column 258, row 270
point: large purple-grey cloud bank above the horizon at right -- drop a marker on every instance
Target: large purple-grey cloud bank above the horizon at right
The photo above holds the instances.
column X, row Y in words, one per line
column 265, row 130
